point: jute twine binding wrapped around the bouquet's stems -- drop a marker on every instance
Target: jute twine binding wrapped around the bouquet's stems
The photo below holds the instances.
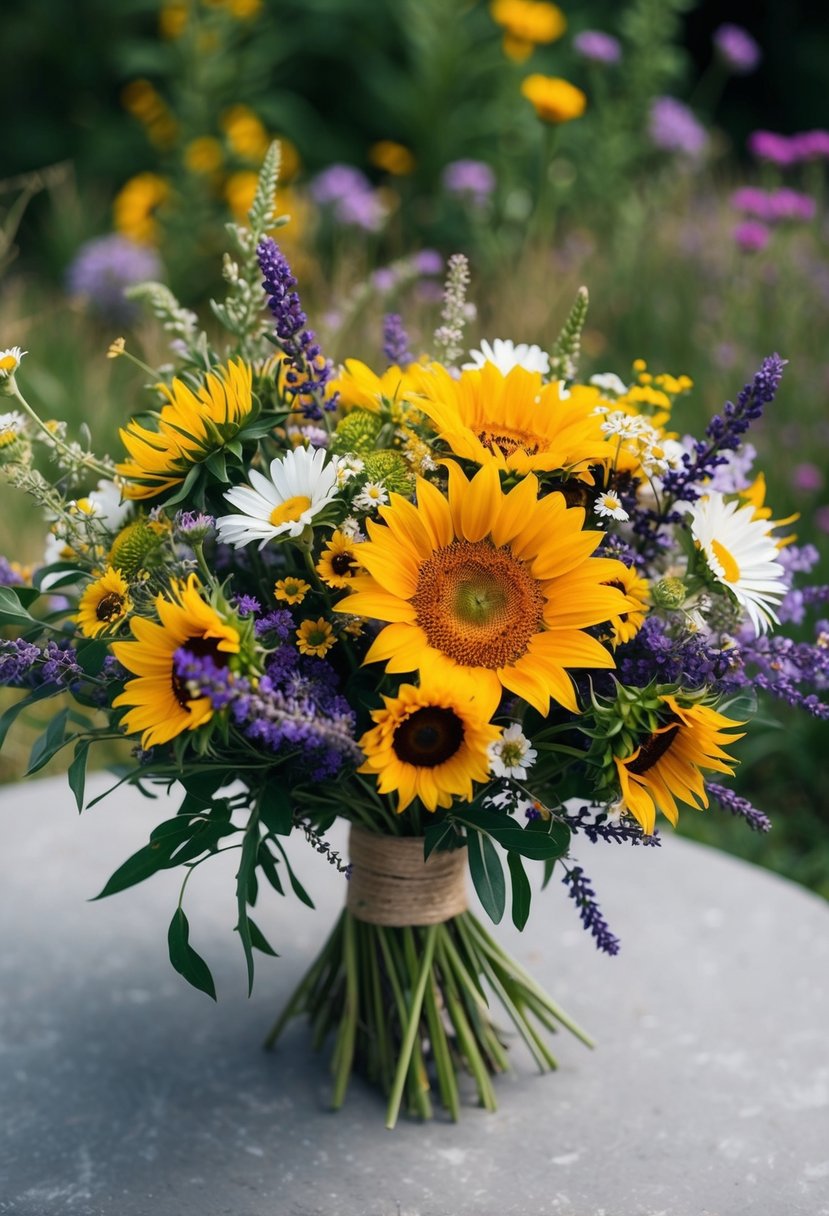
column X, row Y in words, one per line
column 392, row 885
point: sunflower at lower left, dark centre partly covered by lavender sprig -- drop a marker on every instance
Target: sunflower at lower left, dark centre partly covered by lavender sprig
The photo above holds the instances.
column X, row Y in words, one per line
column 159, row 702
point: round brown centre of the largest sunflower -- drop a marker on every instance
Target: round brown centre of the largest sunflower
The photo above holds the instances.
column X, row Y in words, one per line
column 478, row 605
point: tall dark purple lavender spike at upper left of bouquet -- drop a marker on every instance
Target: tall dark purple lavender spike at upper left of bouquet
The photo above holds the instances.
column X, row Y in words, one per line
column 309, row 373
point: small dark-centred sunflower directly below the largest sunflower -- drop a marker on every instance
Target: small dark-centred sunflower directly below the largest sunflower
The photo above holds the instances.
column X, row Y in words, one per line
column 431, row 744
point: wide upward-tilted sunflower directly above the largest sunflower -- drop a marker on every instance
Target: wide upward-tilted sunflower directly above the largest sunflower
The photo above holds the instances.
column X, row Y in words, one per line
column 515, row 421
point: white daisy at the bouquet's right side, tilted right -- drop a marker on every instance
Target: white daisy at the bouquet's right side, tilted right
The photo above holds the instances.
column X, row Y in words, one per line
column 742, row 555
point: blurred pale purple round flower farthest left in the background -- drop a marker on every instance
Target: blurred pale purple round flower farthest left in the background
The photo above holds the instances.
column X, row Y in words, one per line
column 103, row 268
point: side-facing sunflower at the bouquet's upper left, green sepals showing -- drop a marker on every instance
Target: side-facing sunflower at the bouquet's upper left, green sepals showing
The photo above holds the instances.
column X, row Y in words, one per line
column 191, row 427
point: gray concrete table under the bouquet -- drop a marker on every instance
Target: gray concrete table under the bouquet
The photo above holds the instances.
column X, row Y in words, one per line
column 127, row 1094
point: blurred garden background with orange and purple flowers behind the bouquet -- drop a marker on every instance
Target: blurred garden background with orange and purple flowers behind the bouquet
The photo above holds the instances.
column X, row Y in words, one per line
column 676, row 166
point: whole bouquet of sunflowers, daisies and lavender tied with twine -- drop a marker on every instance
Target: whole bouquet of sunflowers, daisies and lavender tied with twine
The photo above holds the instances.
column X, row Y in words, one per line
column 471, row 605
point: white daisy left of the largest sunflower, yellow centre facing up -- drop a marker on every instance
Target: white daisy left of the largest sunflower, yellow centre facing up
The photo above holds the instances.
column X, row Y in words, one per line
column 300, row 487
